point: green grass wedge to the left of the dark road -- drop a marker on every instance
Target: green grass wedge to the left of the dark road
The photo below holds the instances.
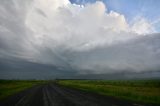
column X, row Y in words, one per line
column 10, row 87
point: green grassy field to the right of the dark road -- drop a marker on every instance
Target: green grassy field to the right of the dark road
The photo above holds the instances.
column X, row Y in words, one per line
column 144, row 91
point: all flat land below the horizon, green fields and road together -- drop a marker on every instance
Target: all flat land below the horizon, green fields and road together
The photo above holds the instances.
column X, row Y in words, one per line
column 79, row 93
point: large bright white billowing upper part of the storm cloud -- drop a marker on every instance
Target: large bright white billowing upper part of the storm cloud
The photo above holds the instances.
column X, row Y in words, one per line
column 72, row 25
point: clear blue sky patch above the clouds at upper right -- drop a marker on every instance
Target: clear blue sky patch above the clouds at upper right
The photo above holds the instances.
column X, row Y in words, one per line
column 131, row 9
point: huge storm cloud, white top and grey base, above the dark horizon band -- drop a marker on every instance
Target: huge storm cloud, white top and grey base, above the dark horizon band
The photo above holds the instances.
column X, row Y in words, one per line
column 83, row 38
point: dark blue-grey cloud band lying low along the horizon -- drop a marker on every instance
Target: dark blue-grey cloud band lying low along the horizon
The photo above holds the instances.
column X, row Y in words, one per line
column 13, row 68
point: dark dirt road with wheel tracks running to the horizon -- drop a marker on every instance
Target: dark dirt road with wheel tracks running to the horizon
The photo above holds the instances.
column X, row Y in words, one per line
column 55, row 95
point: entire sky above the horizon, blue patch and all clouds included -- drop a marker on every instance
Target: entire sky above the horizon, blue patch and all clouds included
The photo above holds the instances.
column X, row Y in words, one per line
column 45, row 39
